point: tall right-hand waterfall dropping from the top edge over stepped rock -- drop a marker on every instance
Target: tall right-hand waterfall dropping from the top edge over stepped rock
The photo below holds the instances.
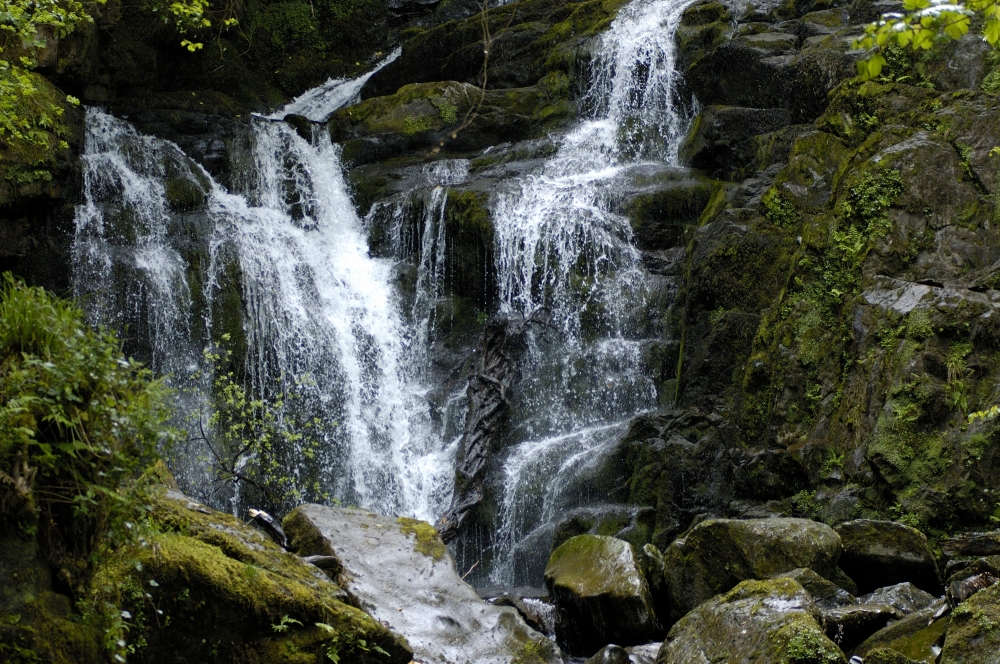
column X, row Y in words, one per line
column 561, row 247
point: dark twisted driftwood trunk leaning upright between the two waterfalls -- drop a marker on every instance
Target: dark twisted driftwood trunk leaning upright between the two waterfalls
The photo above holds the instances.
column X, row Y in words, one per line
column 496, row 370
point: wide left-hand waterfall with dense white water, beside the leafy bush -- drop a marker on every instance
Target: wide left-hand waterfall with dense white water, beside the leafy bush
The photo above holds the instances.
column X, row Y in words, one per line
column 315, row 315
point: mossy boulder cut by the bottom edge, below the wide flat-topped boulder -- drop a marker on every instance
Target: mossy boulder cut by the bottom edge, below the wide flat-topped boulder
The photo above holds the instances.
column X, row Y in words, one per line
column 763, row 622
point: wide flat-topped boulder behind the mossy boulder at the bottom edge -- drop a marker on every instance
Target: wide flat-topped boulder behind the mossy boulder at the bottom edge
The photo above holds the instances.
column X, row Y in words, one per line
column 719, row 553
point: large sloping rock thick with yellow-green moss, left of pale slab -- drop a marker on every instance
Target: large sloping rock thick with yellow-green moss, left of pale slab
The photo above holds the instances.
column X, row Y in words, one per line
column 210, row 586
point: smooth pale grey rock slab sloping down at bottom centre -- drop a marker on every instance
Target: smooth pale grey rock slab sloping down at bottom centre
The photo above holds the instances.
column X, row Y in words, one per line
column 401, row 573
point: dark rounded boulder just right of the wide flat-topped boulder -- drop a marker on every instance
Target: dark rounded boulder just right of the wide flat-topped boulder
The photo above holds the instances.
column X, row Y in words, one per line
column 881, row 553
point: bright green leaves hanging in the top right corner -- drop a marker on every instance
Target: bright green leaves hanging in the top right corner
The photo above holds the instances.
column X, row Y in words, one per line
column 924, row 23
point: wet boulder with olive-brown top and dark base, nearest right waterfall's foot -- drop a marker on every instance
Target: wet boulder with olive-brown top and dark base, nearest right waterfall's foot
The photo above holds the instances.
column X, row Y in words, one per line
column 596, row 582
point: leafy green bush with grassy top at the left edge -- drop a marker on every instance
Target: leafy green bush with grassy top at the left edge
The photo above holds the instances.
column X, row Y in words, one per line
column 77, row 420
